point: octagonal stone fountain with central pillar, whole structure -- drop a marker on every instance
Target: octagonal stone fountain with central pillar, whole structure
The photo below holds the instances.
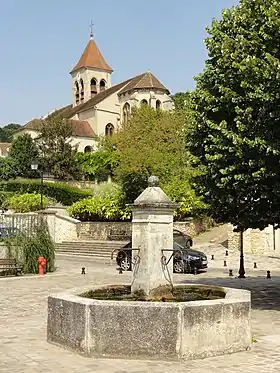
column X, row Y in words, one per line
column 144, row 320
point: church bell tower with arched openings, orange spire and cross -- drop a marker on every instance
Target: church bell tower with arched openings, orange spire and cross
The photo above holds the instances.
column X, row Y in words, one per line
column 91, row 75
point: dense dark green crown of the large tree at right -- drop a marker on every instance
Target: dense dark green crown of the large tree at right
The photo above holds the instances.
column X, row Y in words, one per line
column 236, row 132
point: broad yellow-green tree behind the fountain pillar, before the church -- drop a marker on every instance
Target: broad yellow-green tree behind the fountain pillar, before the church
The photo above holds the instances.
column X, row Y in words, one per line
column 152, row 142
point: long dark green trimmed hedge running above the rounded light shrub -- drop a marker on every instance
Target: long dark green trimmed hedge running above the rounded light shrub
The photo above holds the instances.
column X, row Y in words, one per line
column 62, row 193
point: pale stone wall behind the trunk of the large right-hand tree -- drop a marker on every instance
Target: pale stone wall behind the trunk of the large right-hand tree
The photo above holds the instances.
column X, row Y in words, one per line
column 255, row 240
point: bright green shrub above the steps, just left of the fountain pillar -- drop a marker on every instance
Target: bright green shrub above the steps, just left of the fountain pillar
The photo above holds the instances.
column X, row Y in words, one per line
column 105, row 205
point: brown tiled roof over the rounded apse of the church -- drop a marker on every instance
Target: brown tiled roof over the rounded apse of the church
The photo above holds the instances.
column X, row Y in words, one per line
column 144, row 81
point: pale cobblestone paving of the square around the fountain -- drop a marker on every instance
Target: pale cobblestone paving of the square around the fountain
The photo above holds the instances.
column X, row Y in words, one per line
column 23, row 346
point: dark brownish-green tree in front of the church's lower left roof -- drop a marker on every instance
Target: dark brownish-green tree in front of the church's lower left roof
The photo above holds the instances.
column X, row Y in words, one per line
column 56, row 150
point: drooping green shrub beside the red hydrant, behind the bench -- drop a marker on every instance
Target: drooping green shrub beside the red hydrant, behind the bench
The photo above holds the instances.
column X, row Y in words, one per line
column 27, row 249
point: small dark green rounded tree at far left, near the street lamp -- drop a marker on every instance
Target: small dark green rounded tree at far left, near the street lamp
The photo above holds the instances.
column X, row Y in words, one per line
column 22, row 153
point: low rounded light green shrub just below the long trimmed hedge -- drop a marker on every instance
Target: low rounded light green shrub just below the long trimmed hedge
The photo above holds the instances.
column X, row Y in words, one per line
column 27, row 202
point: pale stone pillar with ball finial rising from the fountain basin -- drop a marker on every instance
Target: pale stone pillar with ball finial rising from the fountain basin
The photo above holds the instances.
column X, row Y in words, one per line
column 152, row 232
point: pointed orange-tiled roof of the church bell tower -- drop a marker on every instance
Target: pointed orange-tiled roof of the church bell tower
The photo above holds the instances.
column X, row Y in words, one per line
column 93, row 58
